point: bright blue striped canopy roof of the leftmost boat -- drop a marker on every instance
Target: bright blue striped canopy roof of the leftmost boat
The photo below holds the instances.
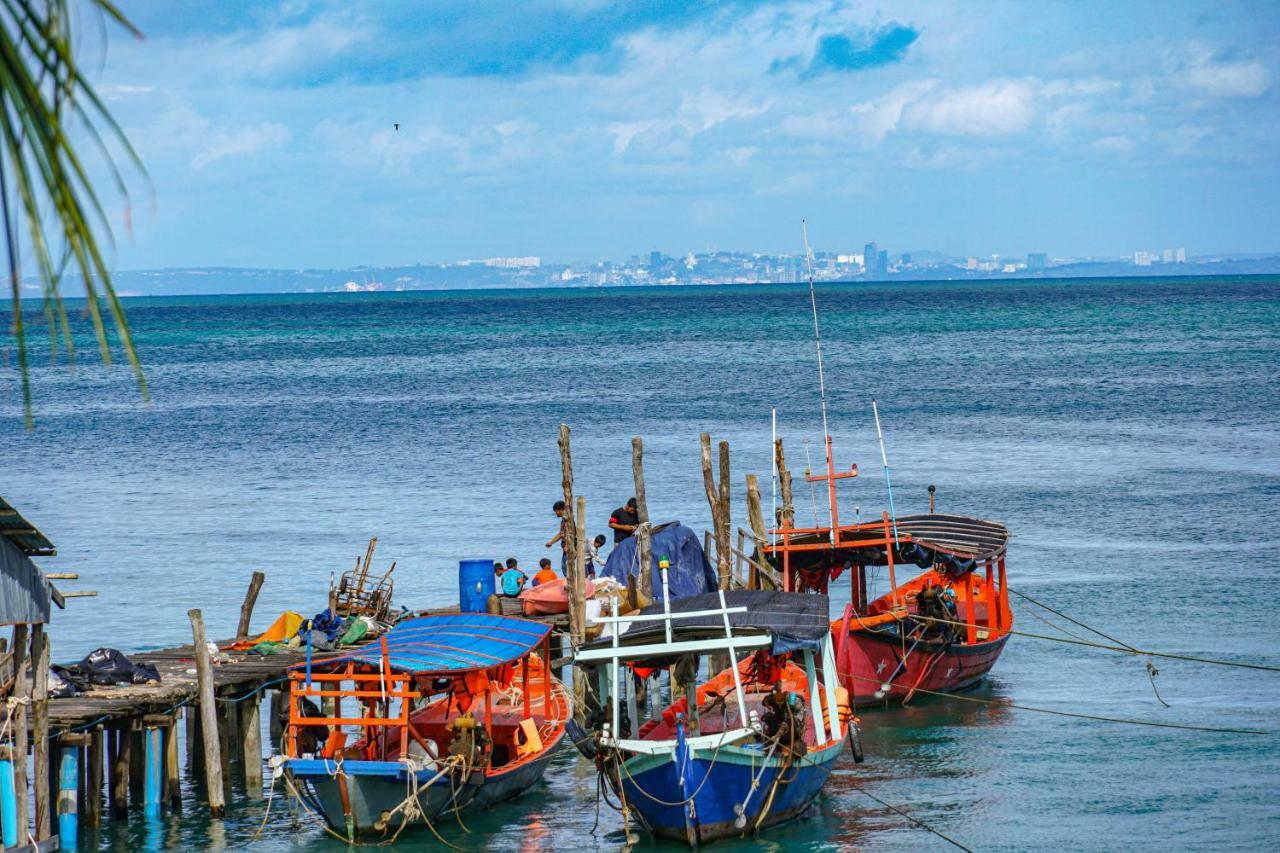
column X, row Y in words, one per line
column 452, row 644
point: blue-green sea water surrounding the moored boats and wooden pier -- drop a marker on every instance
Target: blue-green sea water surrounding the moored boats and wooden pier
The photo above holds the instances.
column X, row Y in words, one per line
column 1128, row 432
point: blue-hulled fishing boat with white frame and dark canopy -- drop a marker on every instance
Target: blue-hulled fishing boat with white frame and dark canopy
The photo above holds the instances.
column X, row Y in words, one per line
column 744, row 750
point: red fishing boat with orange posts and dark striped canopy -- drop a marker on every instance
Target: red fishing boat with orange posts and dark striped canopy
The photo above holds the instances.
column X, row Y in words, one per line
column 940, row 631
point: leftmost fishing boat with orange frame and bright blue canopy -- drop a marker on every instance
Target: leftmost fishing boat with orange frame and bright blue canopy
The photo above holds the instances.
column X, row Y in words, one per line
column 447, row 714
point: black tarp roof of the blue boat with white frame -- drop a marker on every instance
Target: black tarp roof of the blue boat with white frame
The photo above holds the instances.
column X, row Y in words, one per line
column 794, row 621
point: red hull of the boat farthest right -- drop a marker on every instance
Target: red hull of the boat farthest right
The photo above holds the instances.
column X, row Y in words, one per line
column 868, row 660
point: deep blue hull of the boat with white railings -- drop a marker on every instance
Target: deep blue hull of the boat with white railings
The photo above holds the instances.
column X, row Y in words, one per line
column 715, row 786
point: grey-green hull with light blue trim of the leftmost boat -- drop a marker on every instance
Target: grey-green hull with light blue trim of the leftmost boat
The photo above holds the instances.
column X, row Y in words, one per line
column 376, row 788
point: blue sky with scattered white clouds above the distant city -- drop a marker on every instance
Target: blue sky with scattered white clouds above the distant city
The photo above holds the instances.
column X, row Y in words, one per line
column 580, row 131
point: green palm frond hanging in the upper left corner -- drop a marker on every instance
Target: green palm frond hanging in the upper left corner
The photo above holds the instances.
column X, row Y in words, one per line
column 48, row 202
